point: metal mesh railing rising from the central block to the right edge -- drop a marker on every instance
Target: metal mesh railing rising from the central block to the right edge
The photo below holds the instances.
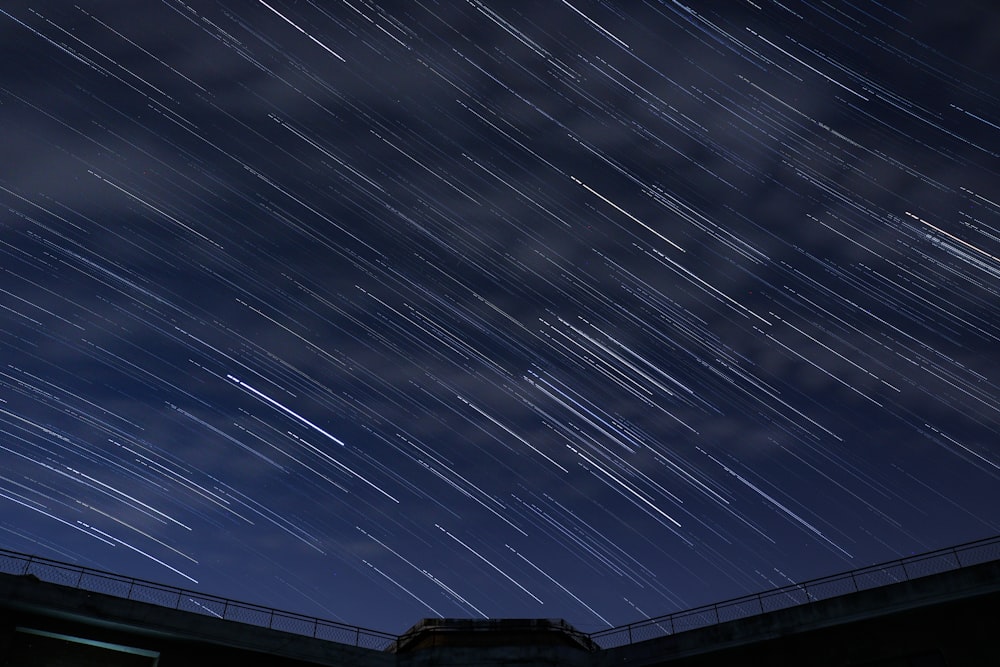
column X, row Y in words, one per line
column 873, row 576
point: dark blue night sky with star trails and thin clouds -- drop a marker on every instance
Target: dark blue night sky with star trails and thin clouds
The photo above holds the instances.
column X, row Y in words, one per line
column 378, row 311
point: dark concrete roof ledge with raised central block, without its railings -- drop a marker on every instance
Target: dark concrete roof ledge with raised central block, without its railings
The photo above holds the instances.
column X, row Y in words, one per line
column 950, row 618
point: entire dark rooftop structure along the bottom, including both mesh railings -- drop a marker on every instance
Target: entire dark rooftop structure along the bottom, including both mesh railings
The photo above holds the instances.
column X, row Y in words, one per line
column 941, row 608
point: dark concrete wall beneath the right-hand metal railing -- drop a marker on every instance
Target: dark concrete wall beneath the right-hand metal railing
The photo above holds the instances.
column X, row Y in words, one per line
column 951, row 618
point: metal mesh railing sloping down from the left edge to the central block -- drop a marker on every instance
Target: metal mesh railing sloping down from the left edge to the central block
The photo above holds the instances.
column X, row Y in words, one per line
column 140, row 590
